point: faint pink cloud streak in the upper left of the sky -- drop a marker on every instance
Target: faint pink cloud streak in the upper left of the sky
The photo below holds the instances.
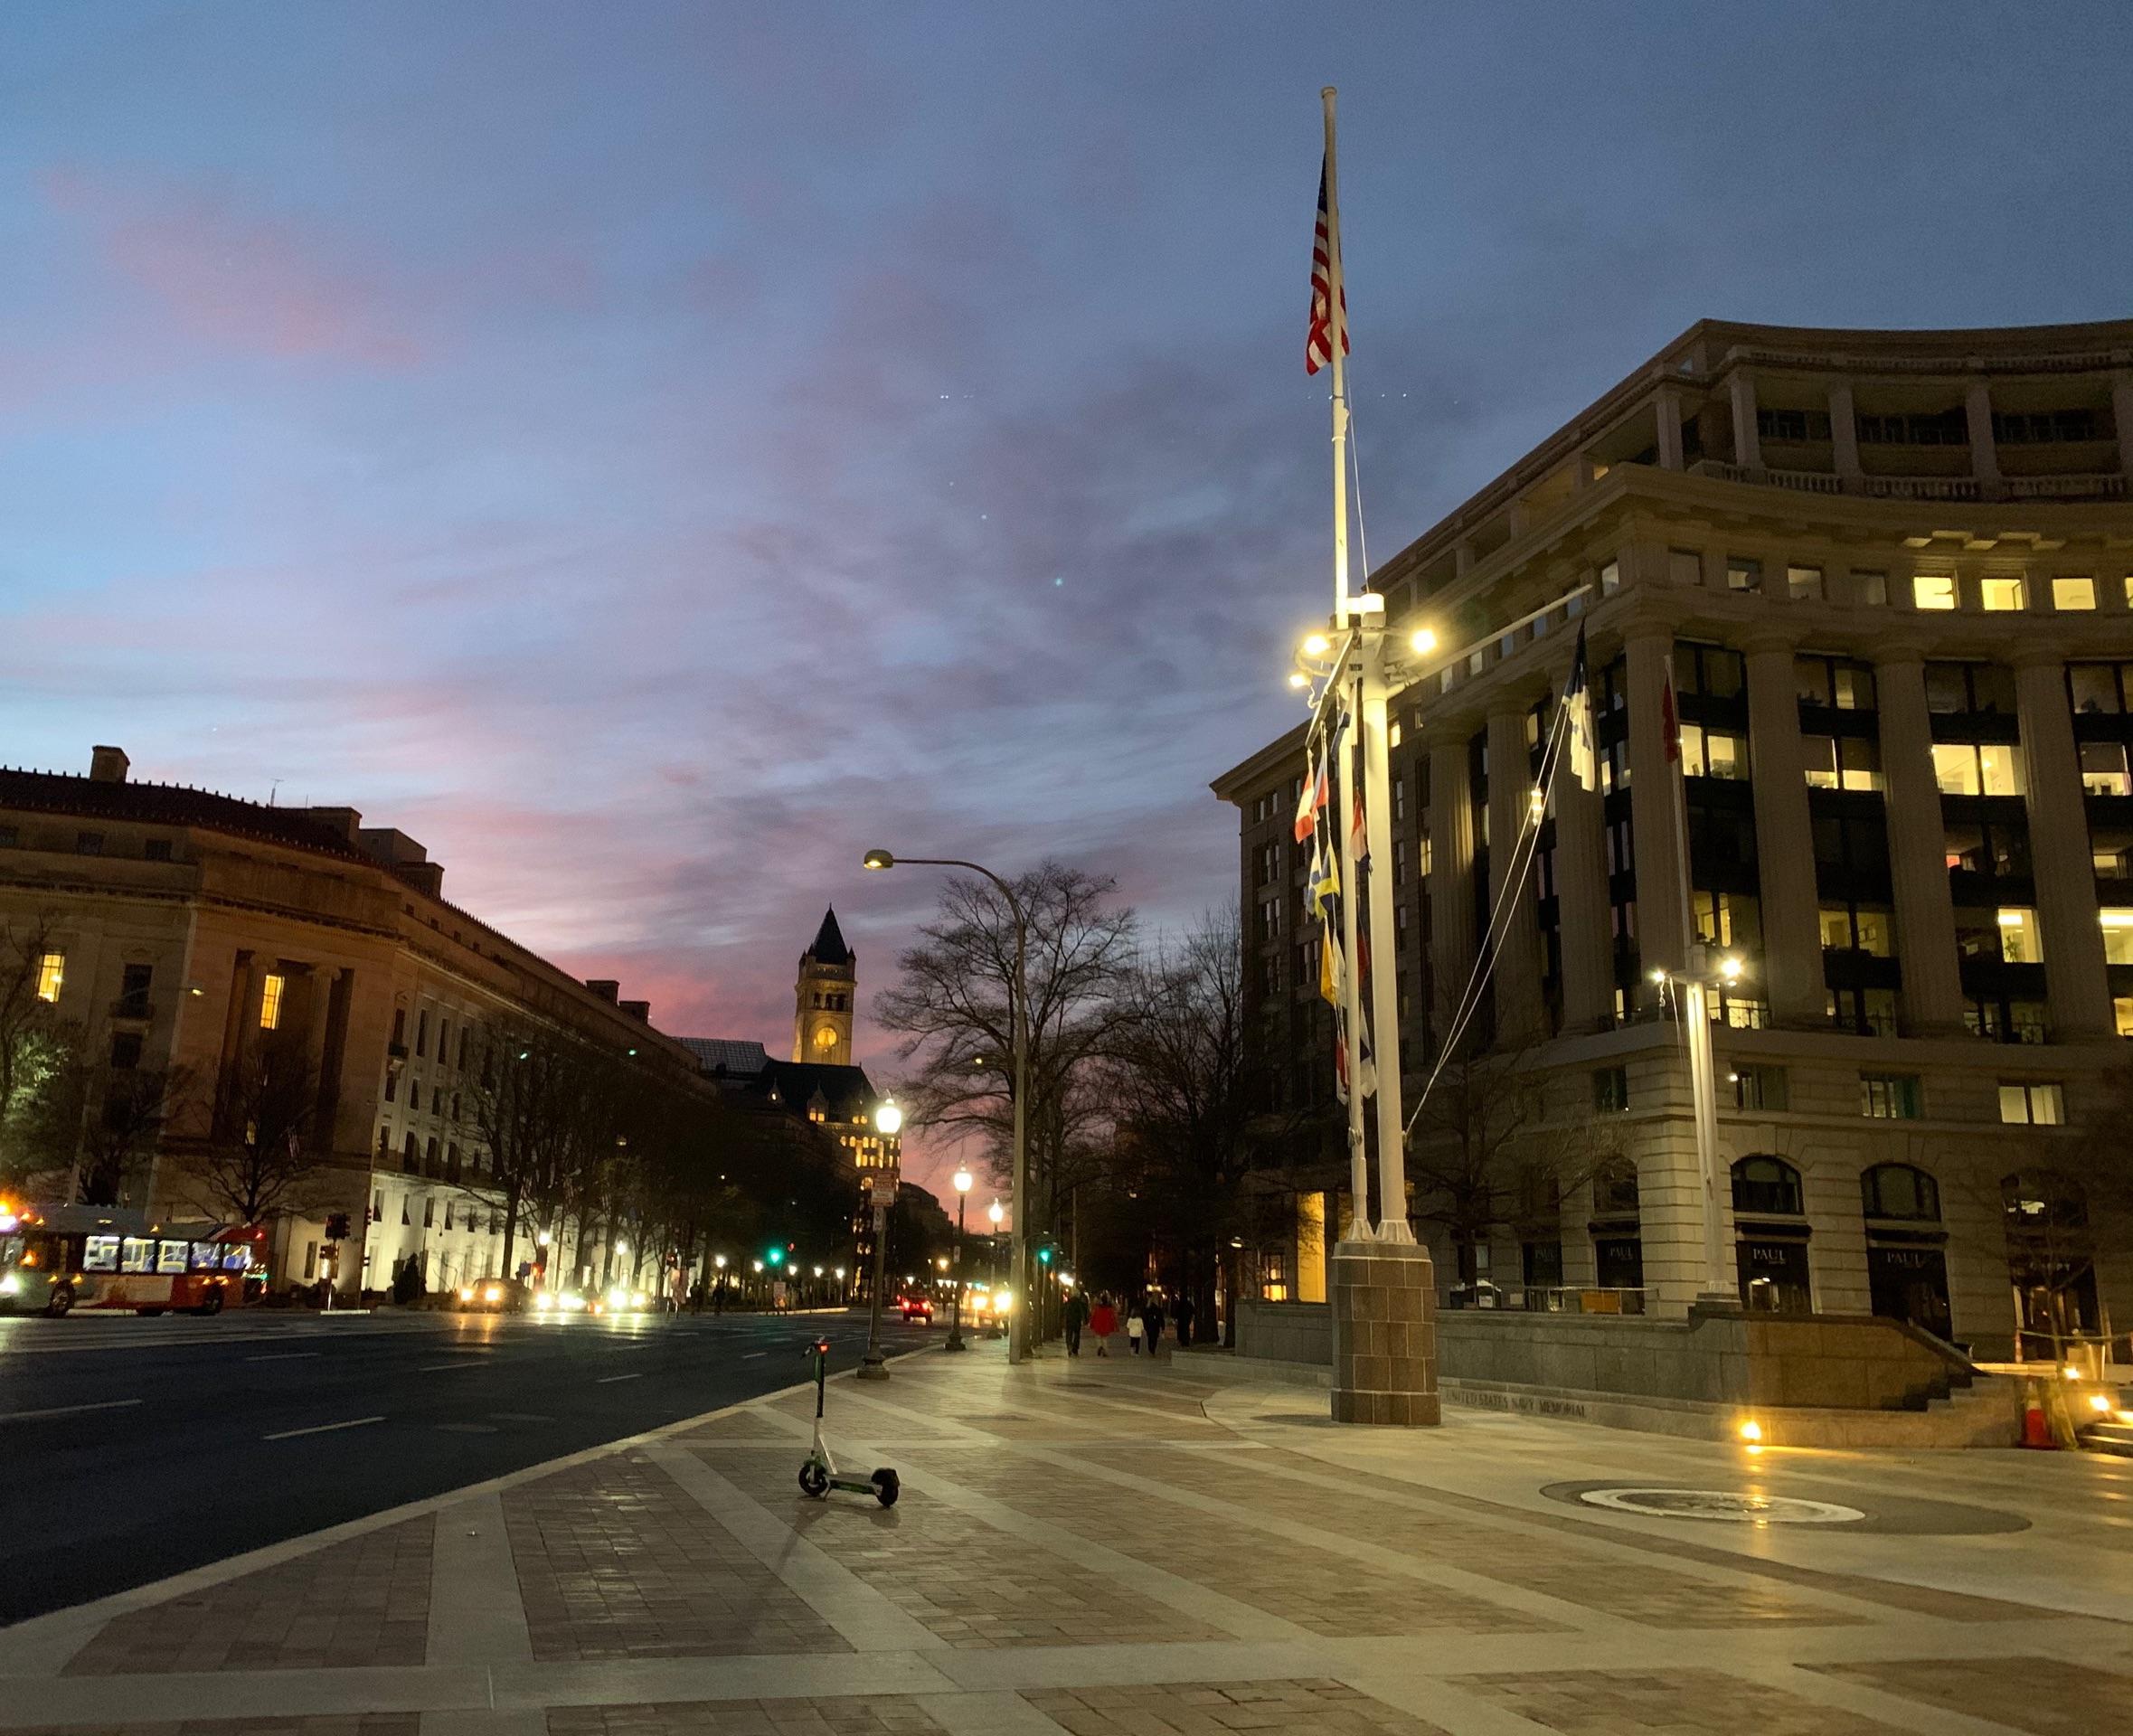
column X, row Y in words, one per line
column 236, row 278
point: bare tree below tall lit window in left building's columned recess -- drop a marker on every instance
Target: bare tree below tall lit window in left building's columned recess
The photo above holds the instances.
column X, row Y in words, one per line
column 259, row 1157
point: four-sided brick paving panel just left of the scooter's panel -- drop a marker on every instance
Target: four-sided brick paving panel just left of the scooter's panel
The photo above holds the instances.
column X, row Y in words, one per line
column 618, row 1562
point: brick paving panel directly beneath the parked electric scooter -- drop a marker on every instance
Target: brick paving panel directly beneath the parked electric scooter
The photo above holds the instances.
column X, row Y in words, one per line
column 923, row 1554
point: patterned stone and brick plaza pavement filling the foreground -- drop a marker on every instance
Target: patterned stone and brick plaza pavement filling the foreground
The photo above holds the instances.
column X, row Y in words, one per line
column 1138, row 1549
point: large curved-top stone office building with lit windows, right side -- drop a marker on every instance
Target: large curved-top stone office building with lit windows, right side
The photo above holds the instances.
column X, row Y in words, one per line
column 1891, row 581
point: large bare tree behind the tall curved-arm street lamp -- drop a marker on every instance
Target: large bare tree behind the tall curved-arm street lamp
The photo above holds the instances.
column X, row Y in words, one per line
column 955, row 1008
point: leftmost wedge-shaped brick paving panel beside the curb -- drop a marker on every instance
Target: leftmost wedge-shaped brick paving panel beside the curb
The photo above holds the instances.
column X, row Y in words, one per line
column 349, row 1605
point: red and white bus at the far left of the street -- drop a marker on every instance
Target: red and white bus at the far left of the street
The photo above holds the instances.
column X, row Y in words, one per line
column 93, row 1257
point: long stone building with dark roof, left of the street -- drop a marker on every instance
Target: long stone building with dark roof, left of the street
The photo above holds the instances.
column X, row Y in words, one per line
column 178, row 929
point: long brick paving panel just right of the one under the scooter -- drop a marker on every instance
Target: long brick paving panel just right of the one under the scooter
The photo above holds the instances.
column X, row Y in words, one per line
column 1324, row 1592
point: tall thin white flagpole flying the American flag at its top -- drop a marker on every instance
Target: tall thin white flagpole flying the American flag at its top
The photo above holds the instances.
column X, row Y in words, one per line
column 1349, row 675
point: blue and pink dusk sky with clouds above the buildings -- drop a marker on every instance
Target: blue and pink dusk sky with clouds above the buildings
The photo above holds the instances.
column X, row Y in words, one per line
column 652, row 453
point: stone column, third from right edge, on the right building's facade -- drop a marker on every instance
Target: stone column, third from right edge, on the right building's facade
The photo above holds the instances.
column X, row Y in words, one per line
column 1784, row 861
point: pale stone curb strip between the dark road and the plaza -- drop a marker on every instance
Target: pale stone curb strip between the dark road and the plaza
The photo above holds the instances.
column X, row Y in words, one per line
column 44, row 1645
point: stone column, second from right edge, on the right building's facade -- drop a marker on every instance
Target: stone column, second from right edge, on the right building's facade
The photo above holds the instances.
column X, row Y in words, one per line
column 1917, row 850
